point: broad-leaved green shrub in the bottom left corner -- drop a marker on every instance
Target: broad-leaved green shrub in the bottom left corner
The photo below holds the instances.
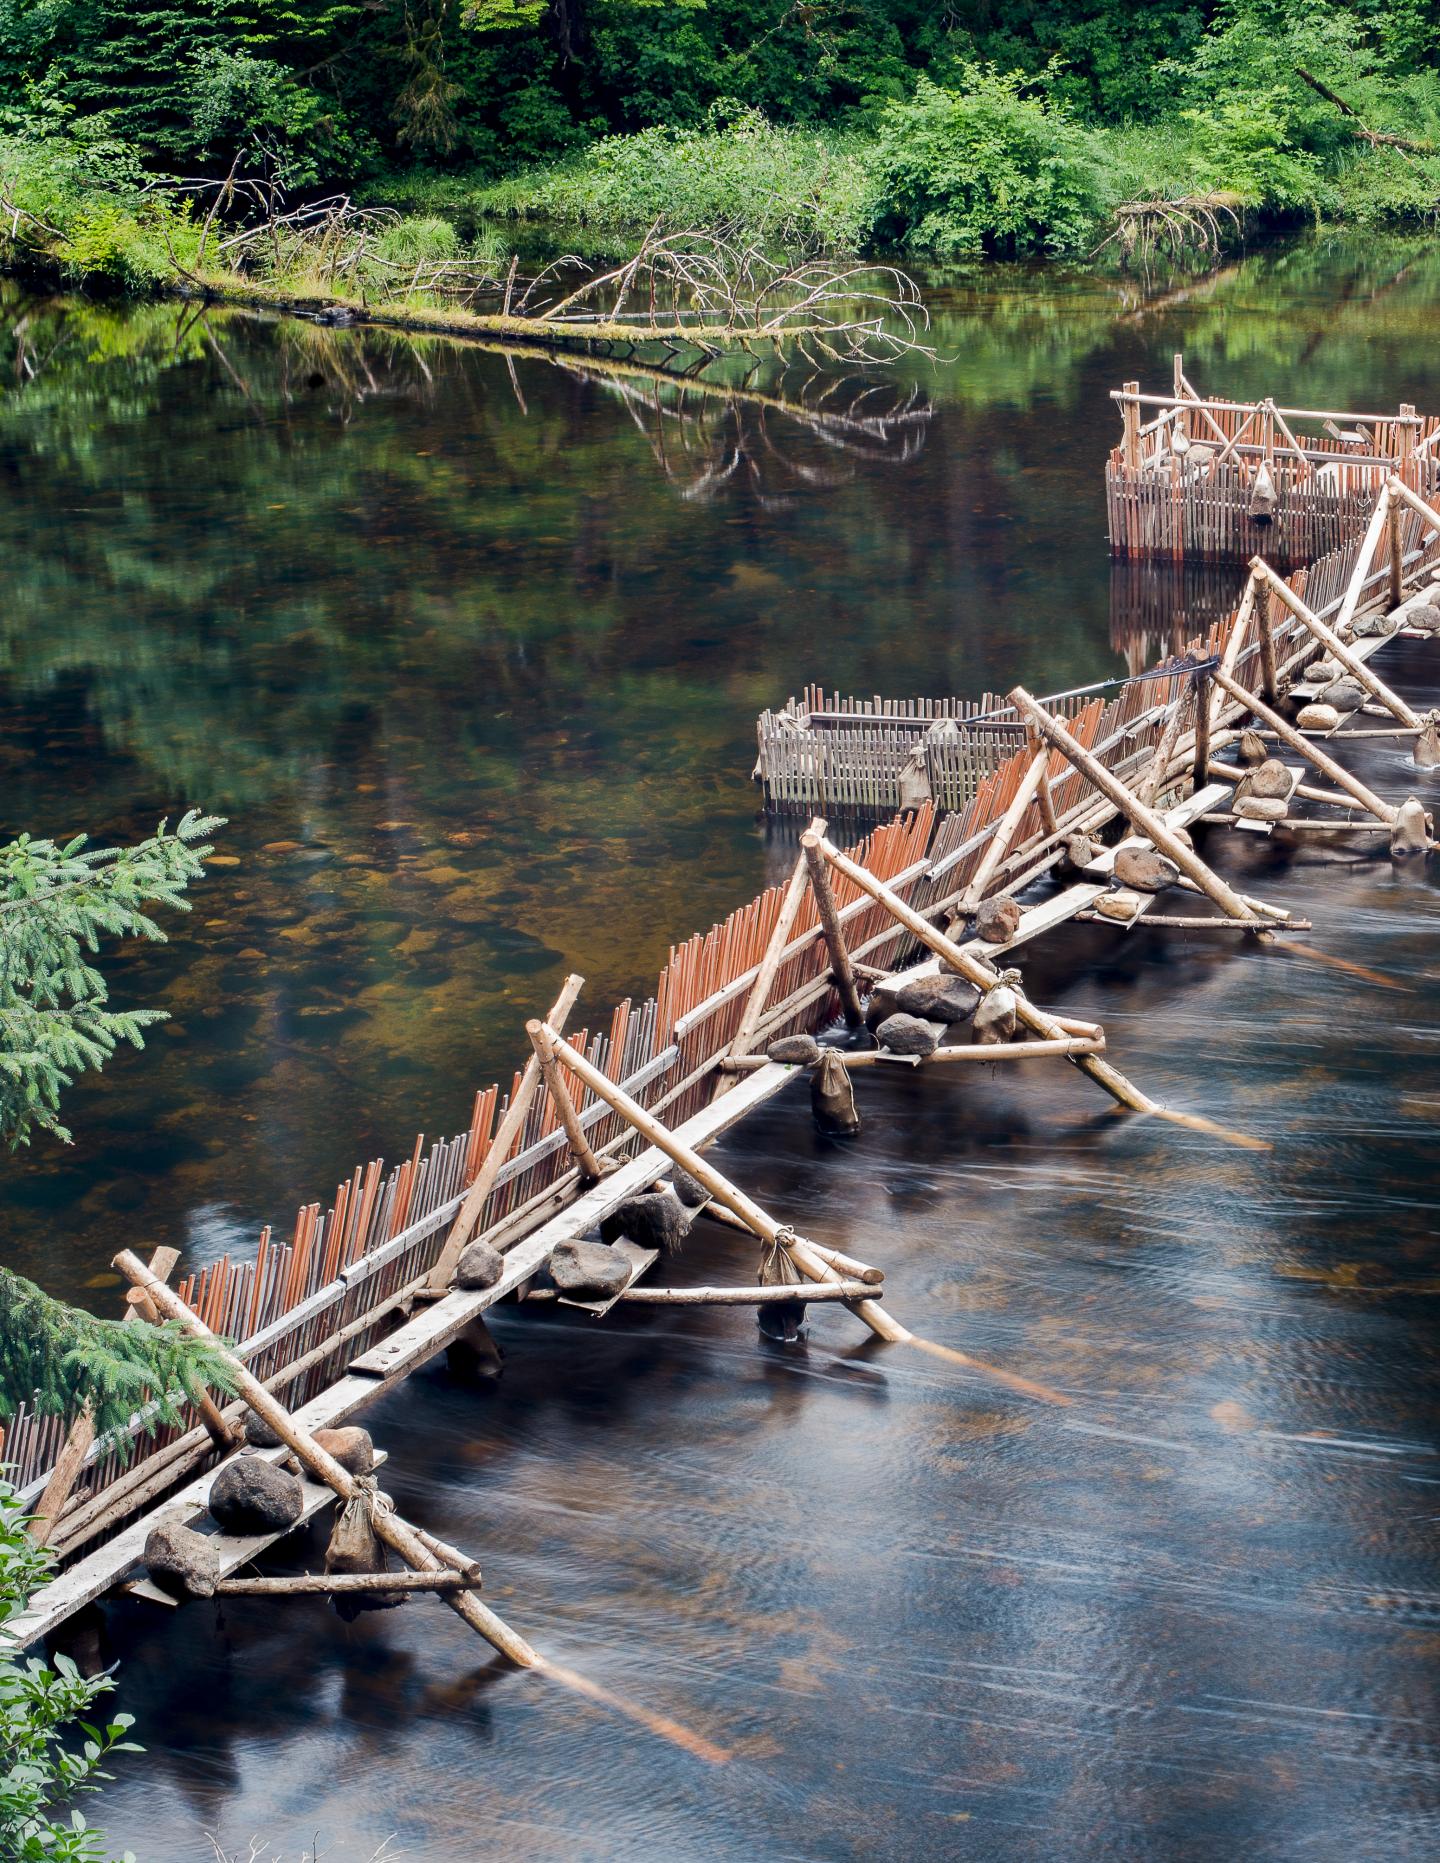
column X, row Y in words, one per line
column 51, row 1752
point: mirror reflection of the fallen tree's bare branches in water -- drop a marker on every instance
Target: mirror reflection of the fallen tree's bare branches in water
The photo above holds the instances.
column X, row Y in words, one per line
column 776, row 441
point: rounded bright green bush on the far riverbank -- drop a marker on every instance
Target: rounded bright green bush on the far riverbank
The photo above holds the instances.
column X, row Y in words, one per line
column 986, row 169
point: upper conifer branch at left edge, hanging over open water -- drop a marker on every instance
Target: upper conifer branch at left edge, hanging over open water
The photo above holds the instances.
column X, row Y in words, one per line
column 57, row 904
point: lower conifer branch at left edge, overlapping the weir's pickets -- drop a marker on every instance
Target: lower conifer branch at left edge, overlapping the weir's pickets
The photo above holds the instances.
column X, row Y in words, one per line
column 62, row 1361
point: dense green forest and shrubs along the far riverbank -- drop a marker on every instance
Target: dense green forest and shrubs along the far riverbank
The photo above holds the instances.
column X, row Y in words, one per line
column 979, row 128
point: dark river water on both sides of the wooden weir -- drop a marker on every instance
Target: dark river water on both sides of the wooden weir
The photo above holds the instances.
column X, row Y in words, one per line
column 470, row 653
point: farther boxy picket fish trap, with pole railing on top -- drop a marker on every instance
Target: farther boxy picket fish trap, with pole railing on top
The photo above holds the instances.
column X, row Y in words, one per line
column 1184, row 482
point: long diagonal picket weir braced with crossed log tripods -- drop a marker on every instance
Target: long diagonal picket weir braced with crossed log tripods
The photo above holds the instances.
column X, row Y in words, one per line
column 364, row 1292
